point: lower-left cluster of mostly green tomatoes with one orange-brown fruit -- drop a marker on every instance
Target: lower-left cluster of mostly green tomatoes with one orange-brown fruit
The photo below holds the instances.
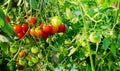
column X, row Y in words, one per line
column 27, row 59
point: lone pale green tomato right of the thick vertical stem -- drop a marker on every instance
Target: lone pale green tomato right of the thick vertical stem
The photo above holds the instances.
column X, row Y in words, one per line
column 95, row 37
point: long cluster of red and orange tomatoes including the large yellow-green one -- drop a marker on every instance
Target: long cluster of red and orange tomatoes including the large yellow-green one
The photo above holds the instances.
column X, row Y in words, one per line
column 44, row 30
